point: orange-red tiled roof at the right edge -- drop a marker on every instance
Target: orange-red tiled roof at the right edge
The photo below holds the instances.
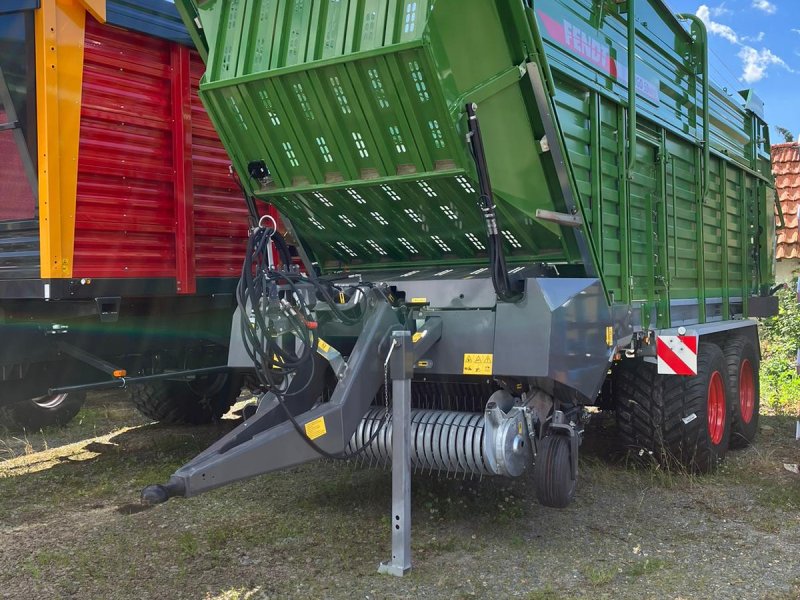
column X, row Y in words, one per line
column 786, row 167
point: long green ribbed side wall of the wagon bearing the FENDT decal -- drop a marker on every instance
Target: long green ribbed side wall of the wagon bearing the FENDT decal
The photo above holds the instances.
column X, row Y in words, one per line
column 660, row 240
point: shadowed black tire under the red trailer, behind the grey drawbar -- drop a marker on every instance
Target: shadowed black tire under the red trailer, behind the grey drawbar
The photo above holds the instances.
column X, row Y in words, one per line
column 184, row 403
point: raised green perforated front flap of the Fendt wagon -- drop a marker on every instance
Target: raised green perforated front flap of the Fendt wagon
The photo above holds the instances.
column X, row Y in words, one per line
column 357, row 110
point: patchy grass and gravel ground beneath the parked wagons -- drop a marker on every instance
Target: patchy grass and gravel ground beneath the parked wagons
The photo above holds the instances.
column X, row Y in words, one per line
column 71, row 526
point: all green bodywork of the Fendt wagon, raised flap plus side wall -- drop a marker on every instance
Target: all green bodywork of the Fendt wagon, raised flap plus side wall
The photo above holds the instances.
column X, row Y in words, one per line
column 357, row 110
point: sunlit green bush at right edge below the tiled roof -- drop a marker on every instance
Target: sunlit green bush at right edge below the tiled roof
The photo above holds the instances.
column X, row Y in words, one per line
column 780, row 340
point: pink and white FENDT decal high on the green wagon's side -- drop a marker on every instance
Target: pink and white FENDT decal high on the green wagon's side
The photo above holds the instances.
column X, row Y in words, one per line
column 595, row 52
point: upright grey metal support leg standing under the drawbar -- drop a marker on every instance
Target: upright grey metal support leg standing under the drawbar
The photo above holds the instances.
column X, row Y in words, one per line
column 401, row 365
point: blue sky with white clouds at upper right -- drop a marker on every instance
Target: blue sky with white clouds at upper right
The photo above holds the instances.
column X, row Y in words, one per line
column 755, row 44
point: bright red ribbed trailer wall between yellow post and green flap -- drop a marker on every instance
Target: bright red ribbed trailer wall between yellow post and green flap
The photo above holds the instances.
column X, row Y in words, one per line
column 154, row 195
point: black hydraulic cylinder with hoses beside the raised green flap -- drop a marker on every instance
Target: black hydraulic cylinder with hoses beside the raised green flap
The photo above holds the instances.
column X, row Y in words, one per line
column 497, row 260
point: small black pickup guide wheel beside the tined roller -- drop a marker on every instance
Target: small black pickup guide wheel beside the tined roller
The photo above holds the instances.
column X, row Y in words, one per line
column 552, row 473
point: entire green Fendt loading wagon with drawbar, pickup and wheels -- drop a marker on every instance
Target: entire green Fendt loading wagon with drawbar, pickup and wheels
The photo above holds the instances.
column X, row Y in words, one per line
column 511, row 209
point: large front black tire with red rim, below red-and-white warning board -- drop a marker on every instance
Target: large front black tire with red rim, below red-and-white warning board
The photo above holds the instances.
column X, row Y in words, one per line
column 668, row 415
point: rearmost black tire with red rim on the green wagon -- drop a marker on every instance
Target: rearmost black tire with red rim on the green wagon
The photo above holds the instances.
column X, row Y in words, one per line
column 743, row 364
